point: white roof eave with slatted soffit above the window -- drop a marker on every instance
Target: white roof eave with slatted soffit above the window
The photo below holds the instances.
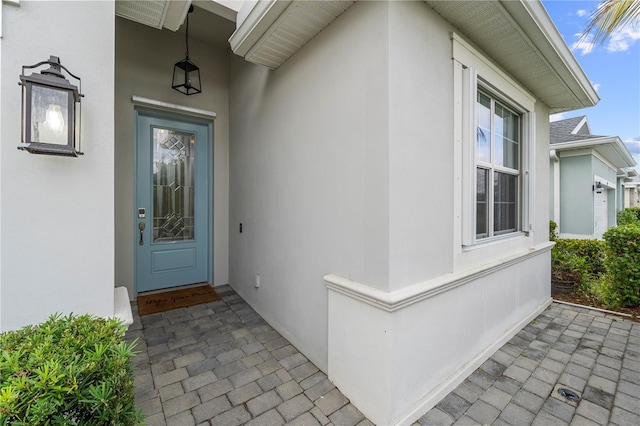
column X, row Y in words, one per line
column 521, row 38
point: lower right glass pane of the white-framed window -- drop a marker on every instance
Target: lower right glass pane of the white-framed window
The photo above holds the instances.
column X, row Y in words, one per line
column 505, row 203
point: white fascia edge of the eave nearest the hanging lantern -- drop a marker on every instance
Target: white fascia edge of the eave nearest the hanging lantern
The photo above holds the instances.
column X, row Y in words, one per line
column 254, row 19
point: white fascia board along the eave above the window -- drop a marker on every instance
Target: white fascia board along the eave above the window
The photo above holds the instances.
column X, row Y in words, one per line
column 532, row 17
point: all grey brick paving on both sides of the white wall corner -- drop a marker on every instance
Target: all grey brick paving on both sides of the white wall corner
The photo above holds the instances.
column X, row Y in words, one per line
column 220, row 363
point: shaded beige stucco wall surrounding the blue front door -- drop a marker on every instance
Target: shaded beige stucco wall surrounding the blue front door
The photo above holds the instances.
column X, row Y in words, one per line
column 144, row 66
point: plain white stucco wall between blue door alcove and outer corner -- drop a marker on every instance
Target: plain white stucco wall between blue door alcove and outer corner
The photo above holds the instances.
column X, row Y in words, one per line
column 309, row 175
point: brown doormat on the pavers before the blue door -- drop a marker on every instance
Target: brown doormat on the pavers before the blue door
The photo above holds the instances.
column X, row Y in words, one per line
column 174, row 299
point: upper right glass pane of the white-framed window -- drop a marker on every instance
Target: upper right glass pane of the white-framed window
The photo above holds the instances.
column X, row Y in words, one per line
column 507, row 136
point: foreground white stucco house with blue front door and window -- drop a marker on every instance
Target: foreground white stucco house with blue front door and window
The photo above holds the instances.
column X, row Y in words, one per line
column 380, row 169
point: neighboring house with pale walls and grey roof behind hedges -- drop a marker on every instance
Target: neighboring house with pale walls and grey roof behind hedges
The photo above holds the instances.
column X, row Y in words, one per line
column 587, row 177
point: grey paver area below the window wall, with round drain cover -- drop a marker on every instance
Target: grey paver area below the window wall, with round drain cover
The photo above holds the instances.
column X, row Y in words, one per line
column 595, row 355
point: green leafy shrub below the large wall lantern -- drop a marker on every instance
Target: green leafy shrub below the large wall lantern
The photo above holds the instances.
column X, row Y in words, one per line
column 67, row 371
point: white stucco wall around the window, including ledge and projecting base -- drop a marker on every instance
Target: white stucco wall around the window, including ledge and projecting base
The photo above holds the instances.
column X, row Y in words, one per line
column 448, row 308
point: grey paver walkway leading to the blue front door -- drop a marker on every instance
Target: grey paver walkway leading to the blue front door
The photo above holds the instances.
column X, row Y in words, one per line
column 220, row 363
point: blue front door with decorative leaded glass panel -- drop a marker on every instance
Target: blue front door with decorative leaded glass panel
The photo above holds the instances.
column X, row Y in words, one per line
column 172, row 201
